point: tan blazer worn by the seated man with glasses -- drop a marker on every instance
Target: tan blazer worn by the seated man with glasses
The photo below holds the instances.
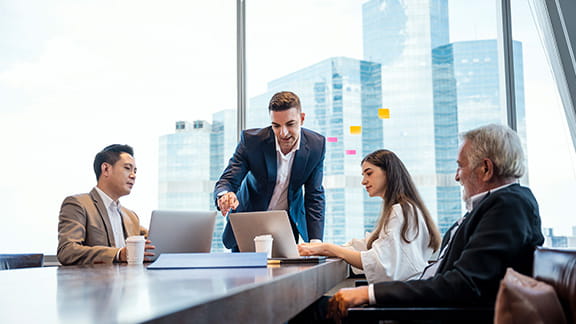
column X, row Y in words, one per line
column 85, row 233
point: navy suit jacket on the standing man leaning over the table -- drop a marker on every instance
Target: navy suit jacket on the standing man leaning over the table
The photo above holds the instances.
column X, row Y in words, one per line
column 251, row 174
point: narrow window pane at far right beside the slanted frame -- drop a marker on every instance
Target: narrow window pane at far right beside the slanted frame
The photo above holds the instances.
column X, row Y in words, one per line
column 551, row 156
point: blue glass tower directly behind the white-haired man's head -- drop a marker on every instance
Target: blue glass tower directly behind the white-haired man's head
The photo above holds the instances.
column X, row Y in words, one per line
column 467, row 94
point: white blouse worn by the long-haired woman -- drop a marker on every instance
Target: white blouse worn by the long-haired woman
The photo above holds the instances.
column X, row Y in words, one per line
column 390, row 257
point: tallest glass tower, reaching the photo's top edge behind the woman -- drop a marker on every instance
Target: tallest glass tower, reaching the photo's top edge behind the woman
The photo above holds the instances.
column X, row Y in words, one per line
column 400, row 35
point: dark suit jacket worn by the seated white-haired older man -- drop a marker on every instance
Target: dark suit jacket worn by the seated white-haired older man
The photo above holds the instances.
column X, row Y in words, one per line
column 501, row 231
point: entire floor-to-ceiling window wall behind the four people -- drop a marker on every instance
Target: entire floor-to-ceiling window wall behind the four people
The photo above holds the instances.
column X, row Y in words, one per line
column 403, row 75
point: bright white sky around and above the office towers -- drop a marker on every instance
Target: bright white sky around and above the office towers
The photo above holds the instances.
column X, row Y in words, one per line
column 85, row 74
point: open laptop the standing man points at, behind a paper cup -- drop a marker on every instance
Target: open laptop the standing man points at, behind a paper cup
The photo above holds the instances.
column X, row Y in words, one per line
column 248, row 225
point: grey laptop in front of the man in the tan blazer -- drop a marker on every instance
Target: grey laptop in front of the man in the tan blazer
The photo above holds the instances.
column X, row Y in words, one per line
column 174, row 231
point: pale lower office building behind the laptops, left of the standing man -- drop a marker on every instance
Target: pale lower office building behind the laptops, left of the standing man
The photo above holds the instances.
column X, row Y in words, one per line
column 191, row 160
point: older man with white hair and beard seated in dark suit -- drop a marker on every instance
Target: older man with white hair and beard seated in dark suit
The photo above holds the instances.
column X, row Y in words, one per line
column 501, row 229
